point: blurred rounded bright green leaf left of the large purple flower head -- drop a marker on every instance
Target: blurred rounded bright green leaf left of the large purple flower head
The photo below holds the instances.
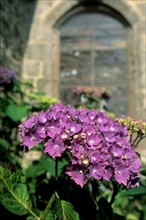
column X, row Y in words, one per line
column 16, row 112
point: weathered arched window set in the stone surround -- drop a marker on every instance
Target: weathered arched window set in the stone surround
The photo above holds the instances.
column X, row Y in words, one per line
column 94, row 53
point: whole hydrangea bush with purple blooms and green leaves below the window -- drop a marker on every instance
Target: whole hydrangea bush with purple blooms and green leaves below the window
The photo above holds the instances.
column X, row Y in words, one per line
column 88, row 169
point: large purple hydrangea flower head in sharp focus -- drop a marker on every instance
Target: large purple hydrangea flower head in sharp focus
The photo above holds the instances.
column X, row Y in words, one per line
column 99, row 146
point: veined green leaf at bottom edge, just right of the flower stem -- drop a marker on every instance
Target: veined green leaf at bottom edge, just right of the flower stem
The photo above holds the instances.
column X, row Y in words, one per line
column 65, row 211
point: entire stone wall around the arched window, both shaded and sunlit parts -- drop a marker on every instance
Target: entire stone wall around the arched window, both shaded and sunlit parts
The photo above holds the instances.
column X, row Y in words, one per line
column 31, row 41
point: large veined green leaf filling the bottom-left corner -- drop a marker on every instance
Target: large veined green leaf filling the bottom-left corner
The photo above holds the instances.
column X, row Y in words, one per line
column 13, row 192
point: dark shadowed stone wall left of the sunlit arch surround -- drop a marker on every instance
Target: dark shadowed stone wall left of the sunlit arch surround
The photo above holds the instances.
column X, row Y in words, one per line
column 15, row 19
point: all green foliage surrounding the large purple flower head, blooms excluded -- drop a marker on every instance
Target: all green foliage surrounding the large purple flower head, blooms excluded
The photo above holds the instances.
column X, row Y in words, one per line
column 42, row 192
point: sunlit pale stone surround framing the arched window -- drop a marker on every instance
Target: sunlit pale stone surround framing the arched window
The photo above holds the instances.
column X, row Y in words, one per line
column 41, row 60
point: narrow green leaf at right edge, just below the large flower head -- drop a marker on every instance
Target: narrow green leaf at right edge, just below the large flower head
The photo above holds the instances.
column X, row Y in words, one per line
column 141, row 190
